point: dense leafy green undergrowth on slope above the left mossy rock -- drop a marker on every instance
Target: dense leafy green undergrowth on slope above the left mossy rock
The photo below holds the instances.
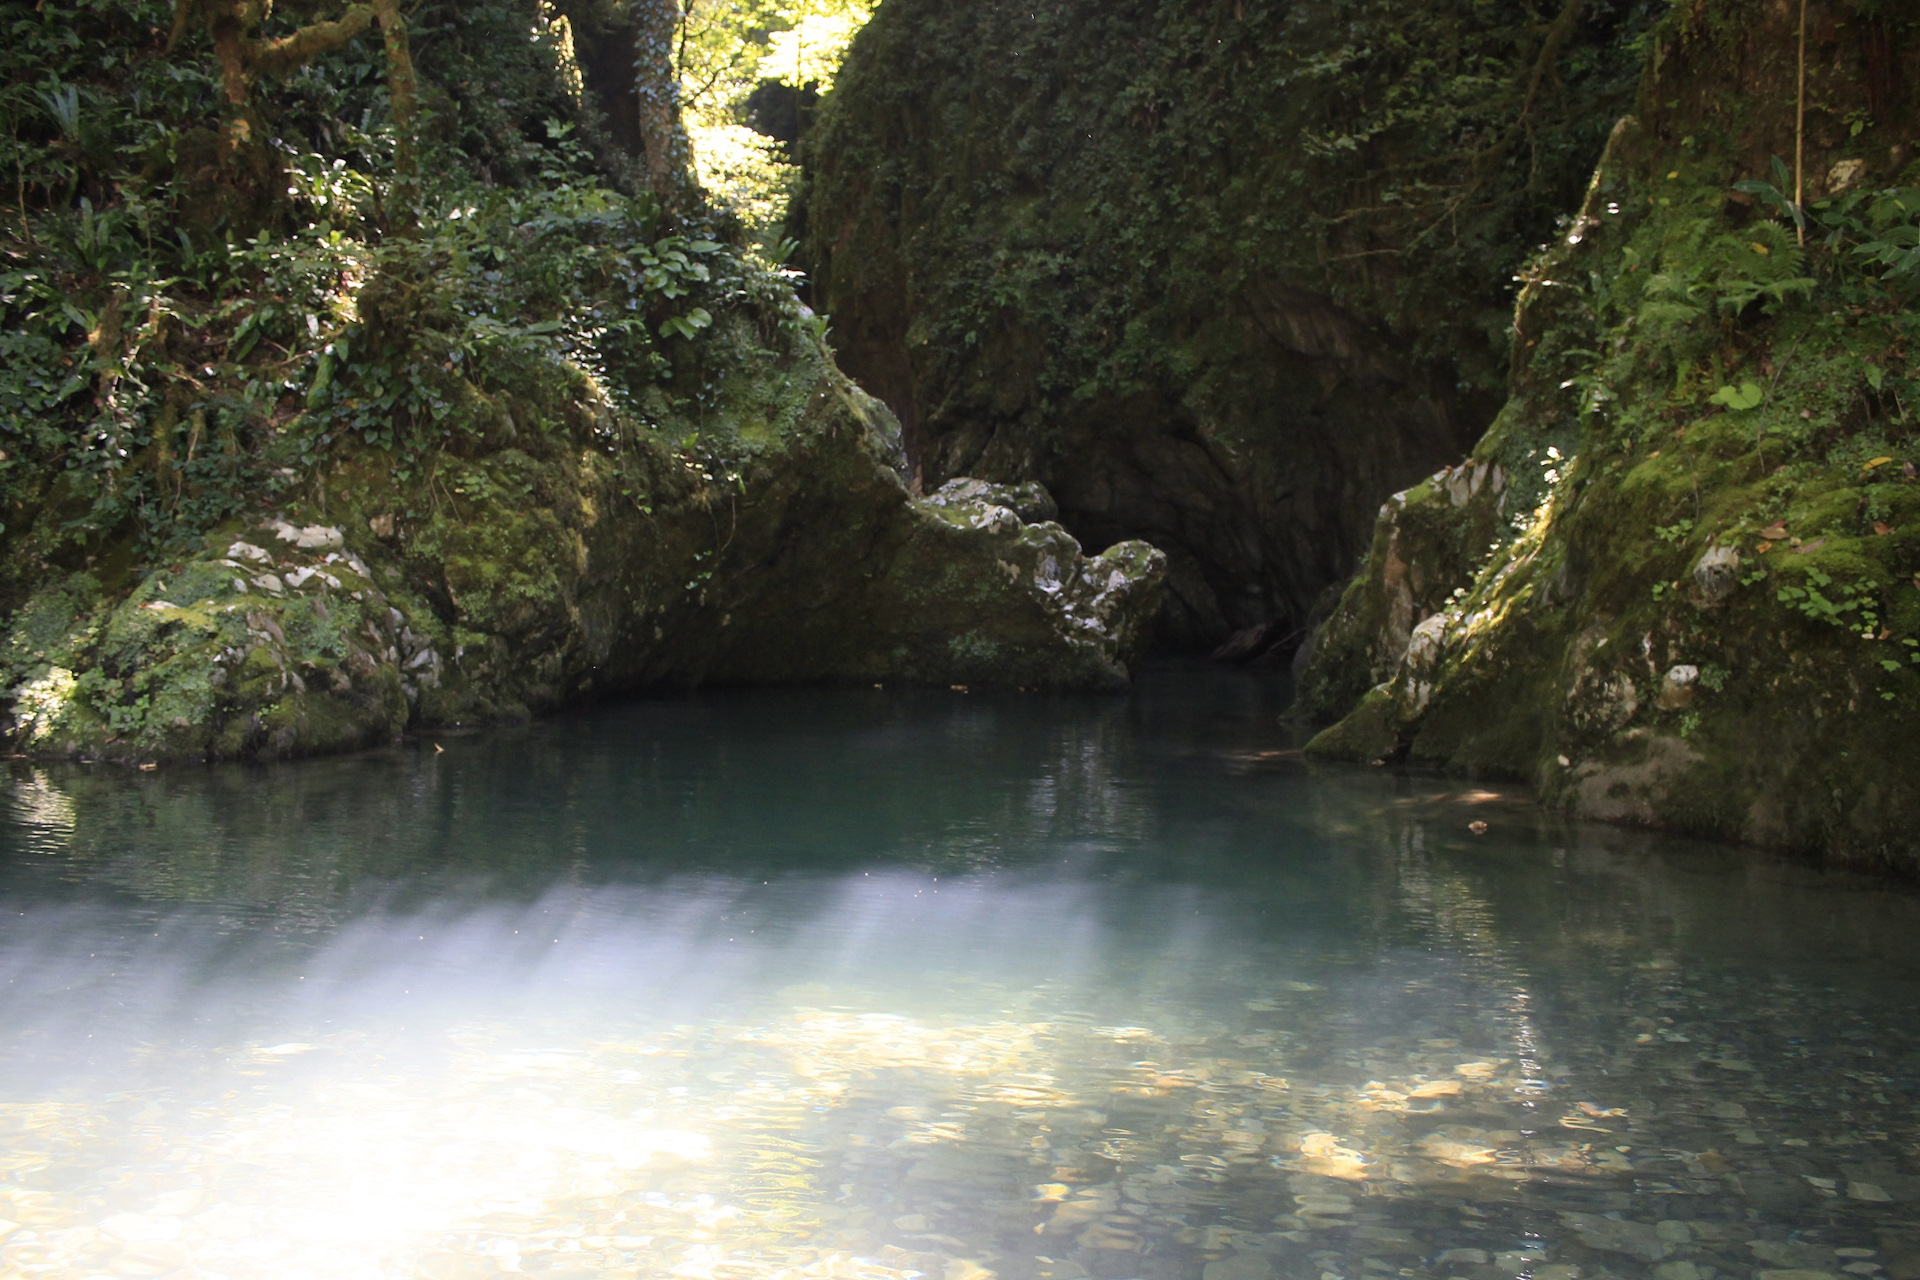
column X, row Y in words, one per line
column 176, row 354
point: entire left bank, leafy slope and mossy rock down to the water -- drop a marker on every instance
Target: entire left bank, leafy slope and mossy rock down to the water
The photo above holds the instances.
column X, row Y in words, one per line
column 320, row 431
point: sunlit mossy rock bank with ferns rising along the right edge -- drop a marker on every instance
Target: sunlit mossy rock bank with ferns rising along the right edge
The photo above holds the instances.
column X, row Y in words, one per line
column 1679, row 581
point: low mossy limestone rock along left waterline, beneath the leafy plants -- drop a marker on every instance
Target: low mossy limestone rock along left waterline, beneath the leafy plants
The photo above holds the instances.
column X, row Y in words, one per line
column 546, row 582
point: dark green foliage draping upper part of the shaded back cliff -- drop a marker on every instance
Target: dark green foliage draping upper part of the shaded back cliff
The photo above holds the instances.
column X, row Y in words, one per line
column 1122, row 174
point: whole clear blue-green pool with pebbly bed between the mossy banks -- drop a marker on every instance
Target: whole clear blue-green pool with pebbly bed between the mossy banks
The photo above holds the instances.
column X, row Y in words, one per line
column 871, row 984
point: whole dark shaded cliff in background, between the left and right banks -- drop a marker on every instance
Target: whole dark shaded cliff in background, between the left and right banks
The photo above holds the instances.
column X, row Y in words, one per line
column 1220, row 275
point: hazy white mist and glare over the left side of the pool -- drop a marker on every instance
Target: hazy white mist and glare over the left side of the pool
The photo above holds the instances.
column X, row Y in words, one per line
column 352, row 1104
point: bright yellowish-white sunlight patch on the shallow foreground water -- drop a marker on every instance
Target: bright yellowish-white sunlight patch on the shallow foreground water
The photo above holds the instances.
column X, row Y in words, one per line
column 800, row 1143
